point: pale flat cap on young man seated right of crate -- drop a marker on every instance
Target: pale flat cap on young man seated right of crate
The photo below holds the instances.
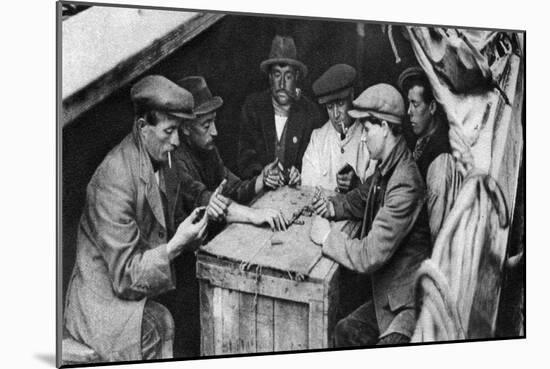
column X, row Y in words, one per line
column 382, row 101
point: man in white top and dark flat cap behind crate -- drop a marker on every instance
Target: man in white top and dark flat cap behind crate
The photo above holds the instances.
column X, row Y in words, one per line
column 336, row 158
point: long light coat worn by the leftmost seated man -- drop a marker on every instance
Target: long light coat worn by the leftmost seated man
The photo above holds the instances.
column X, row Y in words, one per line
column 121, row 257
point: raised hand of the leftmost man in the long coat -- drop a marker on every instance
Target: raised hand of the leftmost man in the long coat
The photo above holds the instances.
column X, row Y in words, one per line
column 190, row 233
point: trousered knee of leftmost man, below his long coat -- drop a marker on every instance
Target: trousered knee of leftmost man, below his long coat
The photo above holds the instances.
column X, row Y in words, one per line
column 157, row 331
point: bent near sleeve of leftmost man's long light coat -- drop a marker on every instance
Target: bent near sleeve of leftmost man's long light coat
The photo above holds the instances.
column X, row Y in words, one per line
column 136, row 267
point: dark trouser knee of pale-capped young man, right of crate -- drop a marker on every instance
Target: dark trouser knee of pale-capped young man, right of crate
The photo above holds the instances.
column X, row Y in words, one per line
column 360, row 328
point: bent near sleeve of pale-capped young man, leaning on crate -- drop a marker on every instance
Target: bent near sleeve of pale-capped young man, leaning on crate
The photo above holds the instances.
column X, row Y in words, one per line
column 392, row 223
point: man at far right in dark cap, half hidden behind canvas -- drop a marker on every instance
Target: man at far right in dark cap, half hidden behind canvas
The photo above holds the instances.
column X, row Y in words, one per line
column 432, row 150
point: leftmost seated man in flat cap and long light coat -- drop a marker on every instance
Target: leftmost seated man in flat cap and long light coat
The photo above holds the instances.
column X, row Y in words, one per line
column 127, row 239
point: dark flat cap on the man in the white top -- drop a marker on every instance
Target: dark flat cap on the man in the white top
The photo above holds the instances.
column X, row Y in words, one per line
column 336, row 83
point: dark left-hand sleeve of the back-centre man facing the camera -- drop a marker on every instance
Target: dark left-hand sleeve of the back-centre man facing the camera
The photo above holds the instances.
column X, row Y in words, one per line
column 249, row 138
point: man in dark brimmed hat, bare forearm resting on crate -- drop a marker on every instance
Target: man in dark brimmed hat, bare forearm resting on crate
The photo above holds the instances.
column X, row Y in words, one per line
column 200, row 172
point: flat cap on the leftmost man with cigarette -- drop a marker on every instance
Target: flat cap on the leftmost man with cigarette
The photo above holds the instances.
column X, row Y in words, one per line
column 159, row 93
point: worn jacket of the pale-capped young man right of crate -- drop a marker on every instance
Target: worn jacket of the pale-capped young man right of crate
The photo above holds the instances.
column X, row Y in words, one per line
column 394, row 241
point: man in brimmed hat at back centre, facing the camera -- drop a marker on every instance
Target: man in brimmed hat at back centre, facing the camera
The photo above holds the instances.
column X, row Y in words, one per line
column 277, row 123
